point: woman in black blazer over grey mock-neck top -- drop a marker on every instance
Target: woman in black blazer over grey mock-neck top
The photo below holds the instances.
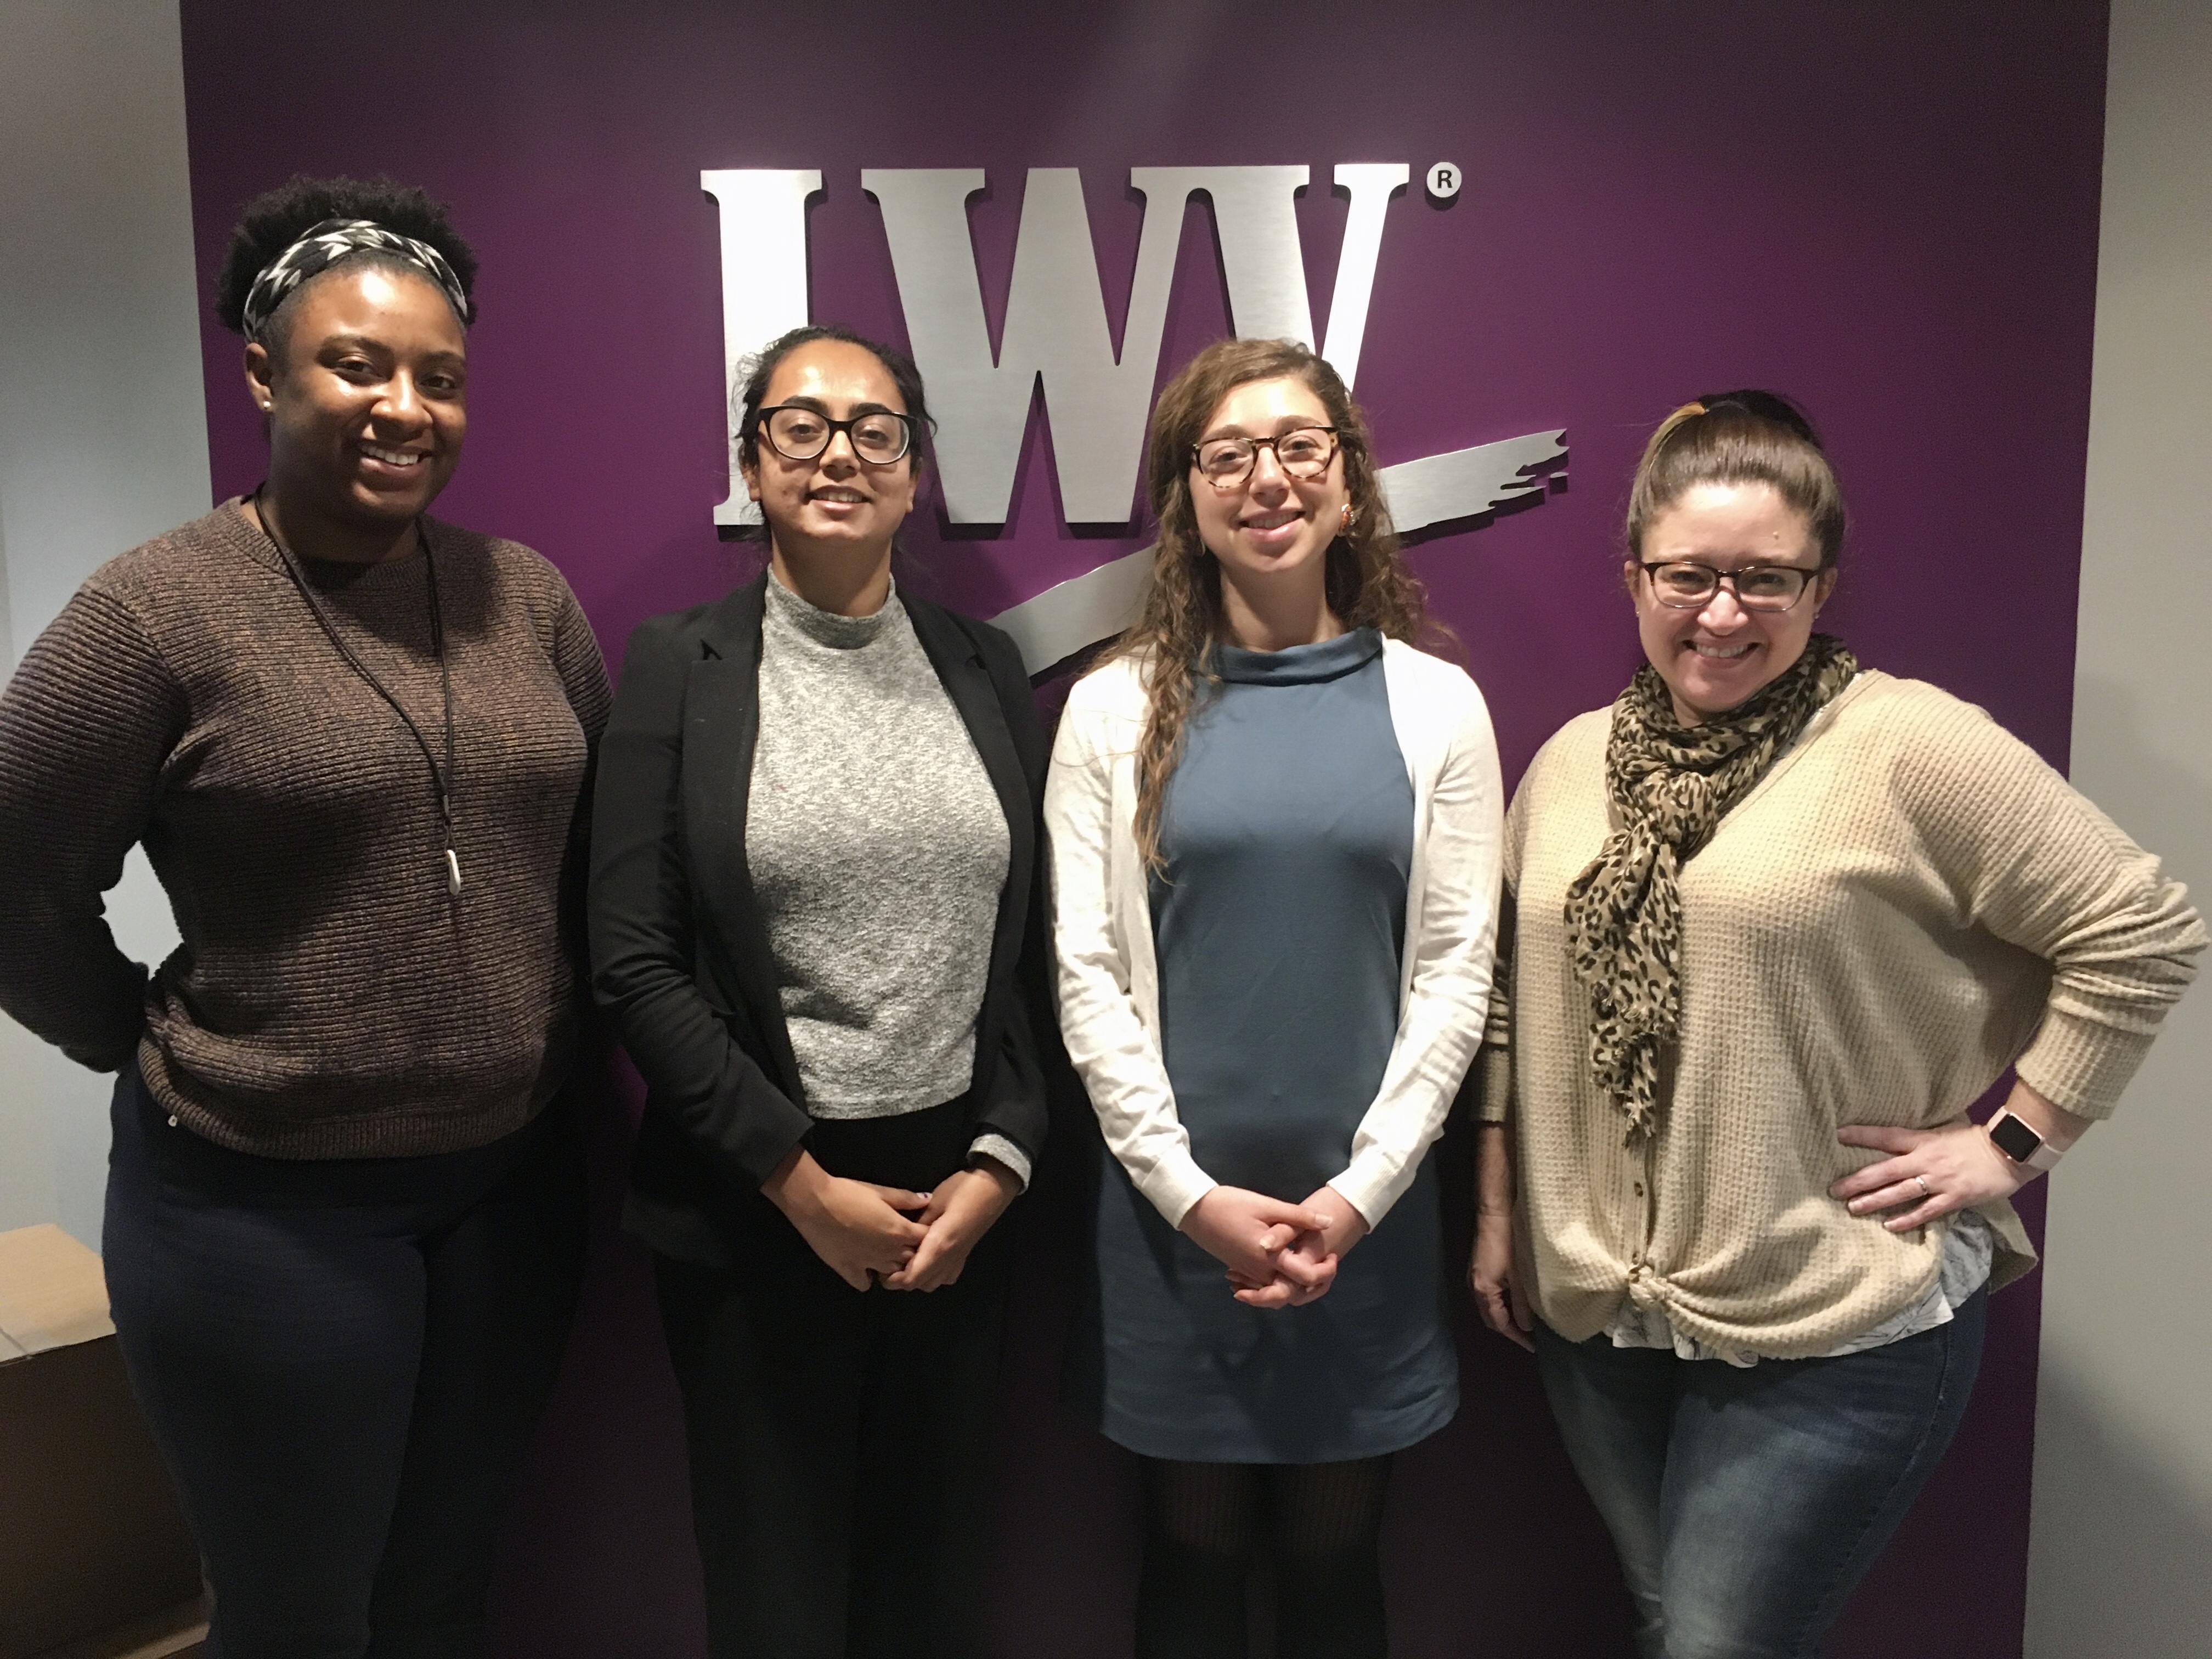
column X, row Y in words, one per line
column 813, row 921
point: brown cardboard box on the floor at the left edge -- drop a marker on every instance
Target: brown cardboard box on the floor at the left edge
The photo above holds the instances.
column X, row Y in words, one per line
column 90, row 1527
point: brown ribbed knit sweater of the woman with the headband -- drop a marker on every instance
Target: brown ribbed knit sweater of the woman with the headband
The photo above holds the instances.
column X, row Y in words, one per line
column 331, row 999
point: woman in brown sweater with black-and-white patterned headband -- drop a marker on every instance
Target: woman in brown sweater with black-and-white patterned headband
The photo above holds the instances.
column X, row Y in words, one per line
column 344, row 1218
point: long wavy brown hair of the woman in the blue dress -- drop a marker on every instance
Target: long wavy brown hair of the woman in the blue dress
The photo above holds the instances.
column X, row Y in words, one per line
column 1368, row 583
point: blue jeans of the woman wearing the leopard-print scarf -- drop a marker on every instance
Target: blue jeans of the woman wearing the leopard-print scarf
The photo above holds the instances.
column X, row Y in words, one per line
column 1749, row 1503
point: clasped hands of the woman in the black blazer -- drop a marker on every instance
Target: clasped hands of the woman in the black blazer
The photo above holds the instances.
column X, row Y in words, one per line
column 884, row 1235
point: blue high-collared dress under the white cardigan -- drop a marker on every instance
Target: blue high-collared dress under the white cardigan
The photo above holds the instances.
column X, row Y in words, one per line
column 1288, row 833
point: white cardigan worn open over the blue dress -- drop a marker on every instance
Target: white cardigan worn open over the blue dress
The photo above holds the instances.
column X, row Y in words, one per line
column 1103, row 930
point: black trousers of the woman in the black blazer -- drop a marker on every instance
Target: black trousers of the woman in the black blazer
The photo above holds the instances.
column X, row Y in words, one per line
column 839, row 1439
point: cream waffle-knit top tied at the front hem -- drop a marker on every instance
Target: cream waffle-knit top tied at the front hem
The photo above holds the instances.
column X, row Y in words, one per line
column 1906, row 904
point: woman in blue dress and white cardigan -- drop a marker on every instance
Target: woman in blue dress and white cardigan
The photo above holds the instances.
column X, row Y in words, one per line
column 1275, row 844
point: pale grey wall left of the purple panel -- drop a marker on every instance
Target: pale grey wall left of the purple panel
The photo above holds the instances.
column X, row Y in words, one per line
column 103, row 435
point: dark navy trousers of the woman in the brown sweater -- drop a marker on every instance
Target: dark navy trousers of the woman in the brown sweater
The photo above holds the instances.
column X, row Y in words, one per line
column 344, row 1364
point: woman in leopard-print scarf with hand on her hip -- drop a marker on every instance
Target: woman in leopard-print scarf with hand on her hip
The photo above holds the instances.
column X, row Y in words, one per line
column 1782, row 919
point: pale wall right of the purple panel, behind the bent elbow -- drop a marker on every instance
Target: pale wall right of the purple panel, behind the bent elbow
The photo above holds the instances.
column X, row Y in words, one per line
column 2122, row 1534
